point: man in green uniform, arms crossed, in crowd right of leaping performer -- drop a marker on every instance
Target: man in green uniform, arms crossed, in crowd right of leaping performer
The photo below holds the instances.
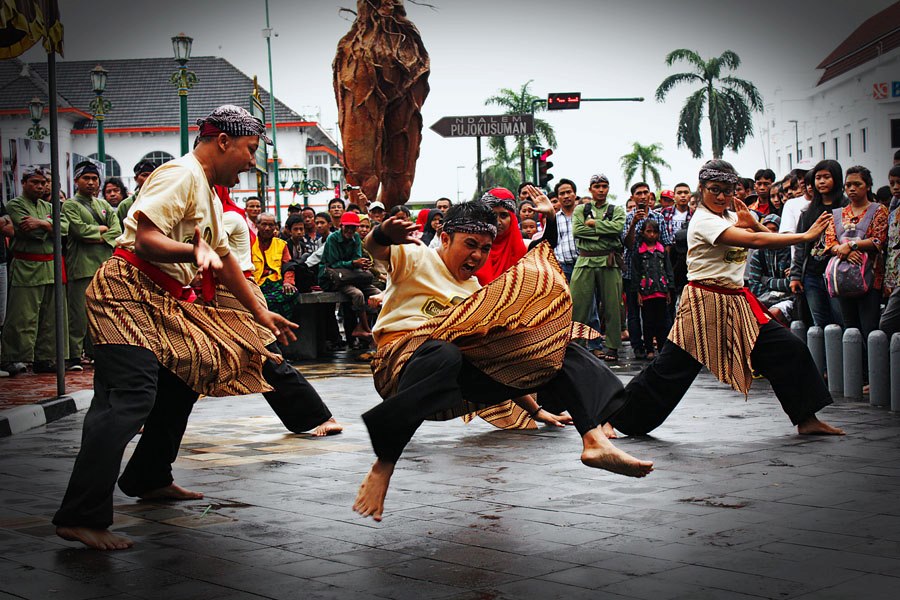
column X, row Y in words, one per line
column 597, row 229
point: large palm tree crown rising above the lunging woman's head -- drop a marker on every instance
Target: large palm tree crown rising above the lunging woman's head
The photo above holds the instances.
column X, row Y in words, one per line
column 730, row 101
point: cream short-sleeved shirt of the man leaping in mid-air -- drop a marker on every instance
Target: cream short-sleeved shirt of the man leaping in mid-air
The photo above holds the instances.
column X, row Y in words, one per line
column 419, row 287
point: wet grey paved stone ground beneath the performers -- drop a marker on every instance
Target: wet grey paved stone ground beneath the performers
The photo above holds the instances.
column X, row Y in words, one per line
column 738, row 508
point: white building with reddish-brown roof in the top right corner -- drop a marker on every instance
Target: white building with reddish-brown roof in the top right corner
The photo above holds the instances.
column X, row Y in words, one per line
column 852, row 115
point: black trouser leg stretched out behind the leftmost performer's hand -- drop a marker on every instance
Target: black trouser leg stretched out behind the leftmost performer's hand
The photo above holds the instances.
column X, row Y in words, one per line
column 294, row 400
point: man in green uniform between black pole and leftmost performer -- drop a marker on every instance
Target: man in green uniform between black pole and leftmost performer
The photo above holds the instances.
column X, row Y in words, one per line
column 93, row 229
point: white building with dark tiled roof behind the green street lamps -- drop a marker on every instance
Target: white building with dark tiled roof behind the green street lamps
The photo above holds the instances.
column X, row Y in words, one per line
column 144, row 121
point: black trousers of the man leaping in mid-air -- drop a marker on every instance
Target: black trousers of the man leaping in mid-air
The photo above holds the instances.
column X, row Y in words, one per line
column 437, row 376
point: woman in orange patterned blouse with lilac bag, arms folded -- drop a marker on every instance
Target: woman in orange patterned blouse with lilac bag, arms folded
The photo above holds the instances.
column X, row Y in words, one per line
column 854, row 240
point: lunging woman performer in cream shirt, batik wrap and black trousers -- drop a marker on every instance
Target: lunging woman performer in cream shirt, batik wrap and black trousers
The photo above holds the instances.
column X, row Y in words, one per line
column 722, row 326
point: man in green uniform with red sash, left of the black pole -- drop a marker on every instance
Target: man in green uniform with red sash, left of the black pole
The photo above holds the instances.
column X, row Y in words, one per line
column 28, row 335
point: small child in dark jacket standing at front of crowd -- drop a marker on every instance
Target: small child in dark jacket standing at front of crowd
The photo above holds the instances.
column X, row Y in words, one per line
column 654, row 282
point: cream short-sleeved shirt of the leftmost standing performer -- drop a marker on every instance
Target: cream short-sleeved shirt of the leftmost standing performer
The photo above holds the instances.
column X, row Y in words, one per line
column 177, row 197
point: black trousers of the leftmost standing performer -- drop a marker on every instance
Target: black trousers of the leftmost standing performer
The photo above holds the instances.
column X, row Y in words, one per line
column 131, row 389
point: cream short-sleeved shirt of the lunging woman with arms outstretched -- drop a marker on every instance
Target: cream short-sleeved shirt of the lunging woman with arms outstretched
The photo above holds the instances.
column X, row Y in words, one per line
column 708, row 260
